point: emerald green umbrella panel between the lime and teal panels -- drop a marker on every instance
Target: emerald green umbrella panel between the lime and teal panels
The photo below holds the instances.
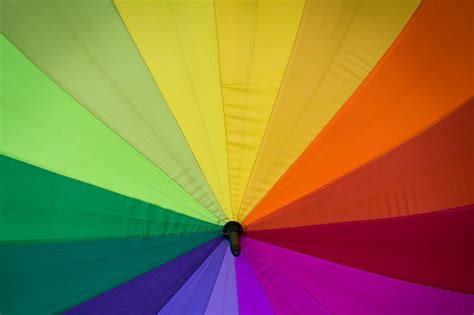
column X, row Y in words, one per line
column 39, row 205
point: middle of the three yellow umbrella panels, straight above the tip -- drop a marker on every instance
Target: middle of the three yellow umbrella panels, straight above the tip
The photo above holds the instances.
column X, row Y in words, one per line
column 255, row 43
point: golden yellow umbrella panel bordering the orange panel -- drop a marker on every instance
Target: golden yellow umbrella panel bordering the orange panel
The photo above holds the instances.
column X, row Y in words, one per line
column 338, row 44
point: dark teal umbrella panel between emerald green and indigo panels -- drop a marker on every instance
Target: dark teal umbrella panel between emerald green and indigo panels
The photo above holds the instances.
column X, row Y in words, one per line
column 44, row 278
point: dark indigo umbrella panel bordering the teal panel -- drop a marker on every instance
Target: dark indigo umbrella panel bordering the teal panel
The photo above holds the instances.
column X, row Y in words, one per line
column 149, row 292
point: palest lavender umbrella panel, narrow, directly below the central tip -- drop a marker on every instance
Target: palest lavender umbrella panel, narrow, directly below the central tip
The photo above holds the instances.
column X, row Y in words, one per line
column 224, row 295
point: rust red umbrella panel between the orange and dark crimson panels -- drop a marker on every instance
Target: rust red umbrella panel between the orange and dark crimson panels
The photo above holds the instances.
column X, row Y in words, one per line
column 432, row 171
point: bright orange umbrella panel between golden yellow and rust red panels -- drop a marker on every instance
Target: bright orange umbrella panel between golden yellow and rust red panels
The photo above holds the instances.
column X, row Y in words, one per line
column 424, row 76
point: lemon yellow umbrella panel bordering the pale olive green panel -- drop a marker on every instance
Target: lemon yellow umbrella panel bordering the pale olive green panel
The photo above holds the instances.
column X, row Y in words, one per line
column 178, row 41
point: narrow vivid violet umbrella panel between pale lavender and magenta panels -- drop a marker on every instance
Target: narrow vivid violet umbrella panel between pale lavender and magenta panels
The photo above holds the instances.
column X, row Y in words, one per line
column 252, row 300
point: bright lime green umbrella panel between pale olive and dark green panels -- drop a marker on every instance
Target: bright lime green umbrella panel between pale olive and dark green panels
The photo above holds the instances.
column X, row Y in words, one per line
column 44, row 126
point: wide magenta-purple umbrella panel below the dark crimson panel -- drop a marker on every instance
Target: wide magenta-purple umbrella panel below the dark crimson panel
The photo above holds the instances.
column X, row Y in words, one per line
column 341, row 289
